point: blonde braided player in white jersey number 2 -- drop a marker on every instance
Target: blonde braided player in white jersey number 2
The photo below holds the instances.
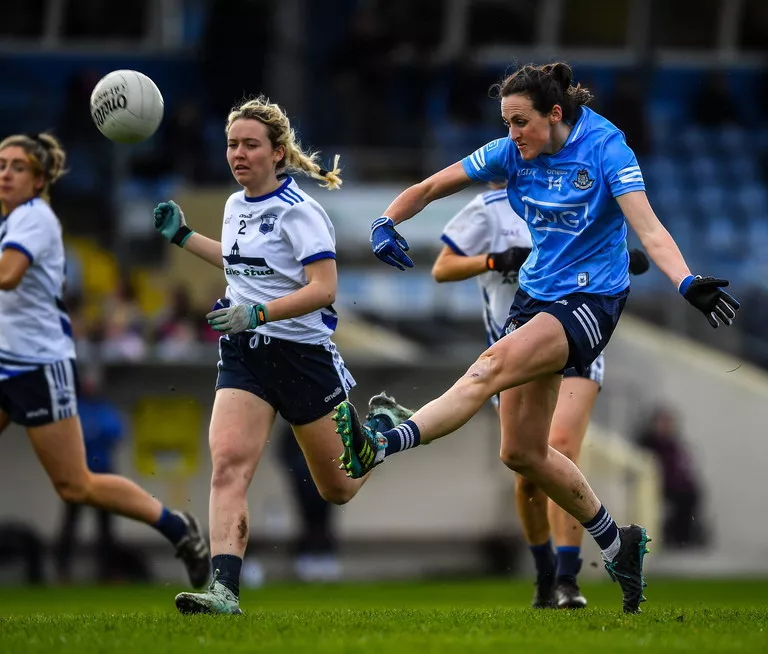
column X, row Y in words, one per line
column 278, row 254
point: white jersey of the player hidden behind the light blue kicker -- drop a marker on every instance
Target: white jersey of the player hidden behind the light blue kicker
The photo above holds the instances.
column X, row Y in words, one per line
column 489, row 224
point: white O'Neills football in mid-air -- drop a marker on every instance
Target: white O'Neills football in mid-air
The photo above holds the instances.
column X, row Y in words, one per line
column 126, row 106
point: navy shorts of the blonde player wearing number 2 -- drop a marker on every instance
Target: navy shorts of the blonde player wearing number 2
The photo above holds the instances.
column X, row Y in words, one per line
column 303, row 382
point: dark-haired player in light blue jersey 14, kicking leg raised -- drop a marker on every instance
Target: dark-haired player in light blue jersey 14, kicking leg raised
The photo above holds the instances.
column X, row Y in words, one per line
column 574, row 180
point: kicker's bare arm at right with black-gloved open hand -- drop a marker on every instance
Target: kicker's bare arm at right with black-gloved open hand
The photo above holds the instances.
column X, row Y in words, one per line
column 704, row 293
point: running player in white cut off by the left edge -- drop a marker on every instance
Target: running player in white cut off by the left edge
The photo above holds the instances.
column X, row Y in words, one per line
column 38, row 376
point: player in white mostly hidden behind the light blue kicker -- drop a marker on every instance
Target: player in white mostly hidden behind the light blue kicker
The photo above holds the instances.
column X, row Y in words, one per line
column 489, row 241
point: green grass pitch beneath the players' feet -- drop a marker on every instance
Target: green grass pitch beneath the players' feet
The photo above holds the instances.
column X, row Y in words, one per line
column 451, row 617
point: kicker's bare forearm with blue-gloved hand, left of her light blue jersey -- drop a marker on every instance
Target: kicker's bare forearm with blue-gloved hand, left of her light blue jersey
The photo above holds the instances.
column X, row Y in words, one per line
column 387, row 244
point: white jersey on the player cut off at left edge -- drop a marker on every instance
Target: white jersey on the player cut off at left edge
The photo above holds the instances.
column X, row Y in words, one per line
column 34, row 326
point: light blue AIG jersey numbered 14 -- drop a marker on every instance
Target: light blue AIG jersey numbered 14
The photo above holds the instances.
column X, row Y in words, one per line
column 568, row 200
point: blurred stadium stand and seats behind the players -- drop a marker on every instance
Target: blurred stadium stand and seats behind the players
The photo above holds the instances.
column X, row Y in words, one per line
column 399, row 89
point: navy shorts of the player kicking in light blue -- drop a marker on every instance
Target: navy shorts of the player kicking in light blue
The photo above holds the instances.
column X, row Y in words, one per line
column 588, row 320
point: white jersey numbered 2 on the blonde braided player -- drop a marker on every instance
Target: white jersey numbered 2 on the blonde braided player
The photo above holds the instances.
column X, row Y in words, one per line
column 266, row 242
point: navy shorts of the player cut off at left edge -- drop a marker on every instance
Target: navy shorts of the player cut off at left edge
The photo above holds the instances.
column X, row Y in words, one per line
column 37, row 397
